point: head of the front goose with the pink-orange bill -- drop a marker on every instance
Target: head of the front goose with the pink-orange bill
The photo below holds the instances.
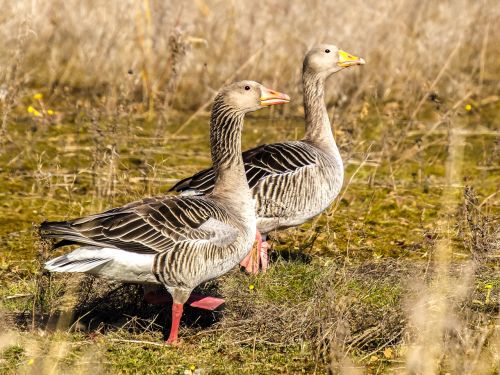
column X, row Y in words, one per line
column 249, row 96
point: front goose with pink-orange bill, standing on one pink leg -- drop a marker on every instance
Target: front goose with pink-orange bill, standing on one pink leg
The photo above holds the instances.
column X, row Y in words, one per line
column 177, row 241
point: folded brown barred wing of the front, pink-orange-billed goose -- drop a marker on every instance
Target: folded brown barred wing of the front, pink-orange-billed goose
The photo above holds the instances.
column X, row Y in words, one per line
column 152, row 225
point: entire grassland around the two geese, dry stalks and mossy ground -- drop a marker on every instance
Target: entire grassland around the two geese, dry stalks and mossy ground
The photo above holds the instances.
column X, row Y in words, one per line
column 104, row 103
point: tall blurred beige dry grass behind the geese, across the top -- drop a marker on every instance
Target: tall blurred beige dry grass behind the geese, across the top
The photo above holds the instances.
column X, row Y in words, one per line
column 157, row 53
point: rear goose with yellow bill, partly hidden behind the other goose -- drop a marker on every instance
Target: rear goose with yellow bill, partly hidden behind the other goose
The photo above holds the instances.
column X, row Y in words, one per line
column 291, row 181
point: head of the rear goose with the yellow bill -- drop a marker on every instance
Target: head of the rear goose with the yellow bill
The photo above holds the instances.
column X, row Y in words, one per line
column 327, row 59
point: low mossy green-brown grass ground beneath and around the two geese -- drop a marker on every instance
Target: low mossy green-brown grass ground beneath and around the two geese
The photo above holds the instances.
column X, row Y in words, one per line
column 338, row 284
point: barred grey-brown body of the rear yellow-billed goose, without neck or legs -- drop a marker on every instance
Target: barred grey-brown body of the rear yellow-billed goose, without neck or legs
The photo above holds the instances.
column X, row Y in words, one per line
column 290, row 182
